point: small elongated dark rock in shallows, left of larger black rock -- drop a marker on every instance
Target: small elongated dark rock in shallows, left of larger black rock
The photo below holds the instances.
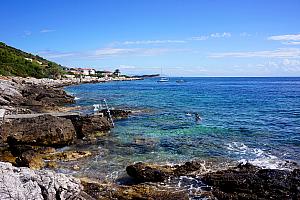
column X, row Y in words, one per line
column 144, row 172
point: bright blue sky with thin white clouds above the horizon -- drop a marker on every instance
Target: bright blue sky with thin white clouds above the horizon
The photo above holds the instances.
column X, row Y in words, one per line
column 179, row 37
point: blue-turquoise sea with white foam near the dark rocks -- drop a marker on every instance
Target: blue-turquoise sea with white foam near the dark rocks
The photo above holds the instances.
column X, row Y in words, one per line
column 243, row 119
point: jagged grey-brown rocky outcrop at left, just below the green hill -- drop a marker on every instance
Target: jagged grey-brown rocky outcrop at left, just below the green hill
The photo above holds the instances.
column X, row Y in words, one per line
column 21, row 94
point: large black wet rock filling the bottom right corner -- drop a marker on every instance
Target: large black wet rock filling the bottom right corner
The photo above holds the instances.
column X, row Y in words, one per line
column 250, row 182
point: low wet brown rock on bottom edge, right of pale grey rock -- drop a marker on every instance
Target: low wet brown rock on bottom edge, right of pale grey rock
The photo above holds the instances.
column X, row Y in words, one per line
column 142, row 192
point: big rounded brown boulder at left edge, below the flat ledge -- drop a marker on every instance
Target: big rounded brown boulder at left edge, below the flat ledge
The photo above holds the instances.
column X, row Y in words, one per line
column 45, row 130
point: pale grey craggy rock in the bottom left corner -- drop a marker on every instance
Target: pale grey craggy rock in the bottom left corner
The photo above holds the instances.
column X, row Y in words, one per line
column 24, row 183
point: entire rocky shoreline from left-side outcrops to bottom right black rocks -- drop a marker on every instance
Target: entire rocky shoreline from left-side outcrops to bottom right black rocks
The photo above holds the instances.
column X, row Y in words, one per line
column 28, row 150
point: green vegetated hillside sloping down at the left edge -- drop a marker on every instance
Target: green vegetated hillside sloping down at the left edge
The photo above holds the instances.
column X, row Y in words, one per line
column 14, row 62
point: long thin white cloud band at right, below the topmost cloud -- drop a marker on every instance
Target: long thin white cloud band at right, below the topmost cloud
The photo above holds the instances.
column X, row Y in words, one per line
column 278, row 53
